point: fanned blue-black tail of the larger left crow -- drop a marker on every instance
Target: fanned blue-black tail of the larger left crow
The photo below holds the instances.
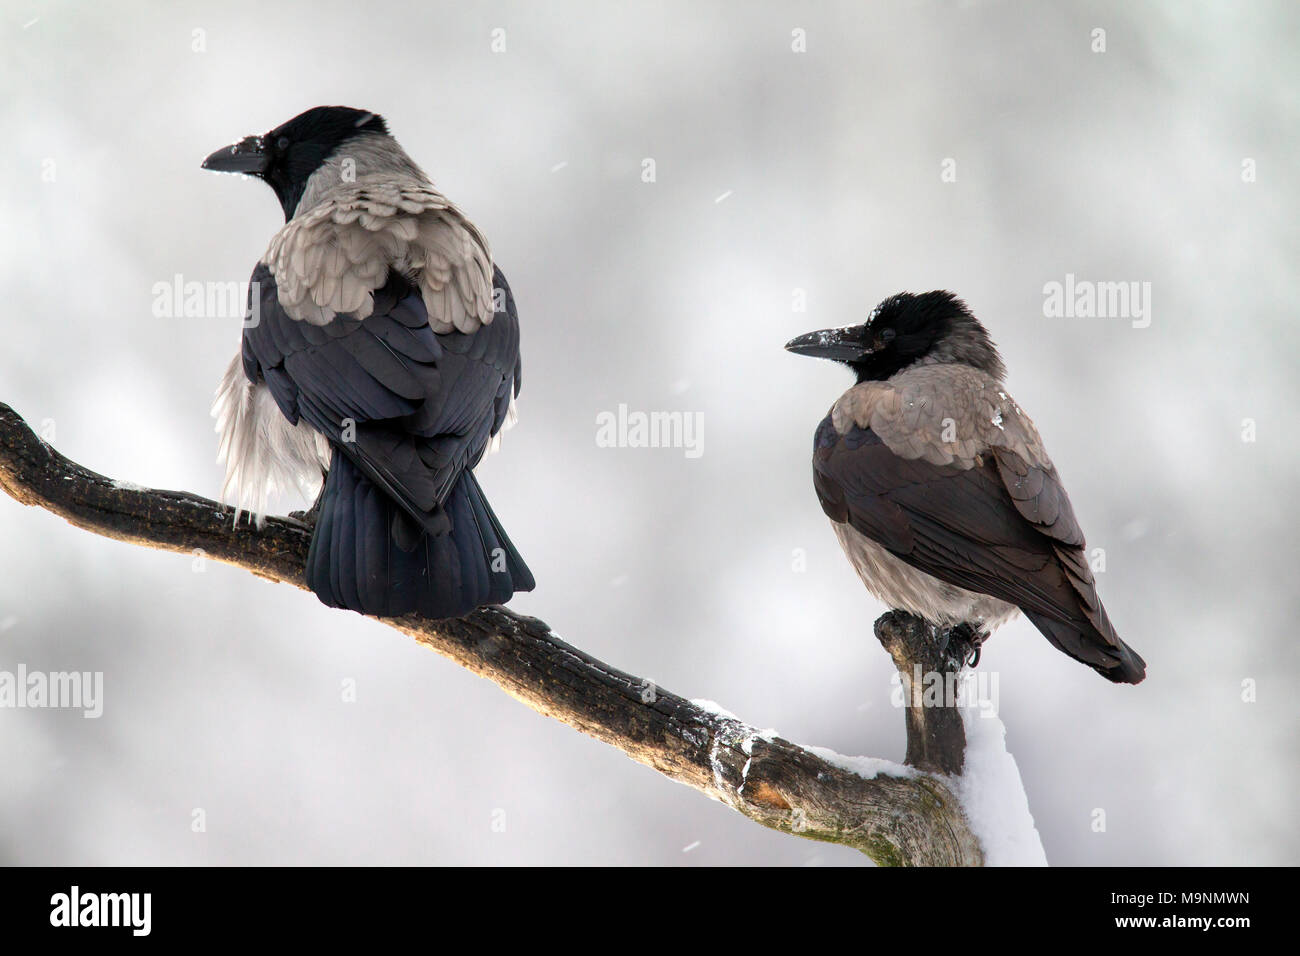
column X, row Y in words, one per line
column 370, row 556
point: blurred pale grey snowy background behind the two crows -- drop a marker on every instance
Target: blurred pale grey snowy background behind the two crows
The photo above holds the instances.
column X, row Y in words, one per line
column 224, row 693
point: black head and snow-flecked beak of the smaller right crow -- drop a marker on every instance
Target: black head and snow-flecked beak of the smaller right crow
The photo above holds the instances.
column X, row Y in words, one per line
column 903, row 331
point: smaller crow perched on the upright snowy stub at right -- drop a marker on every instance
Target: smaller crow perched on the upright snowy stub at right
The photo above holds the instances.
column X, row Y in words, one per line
column 941, row 491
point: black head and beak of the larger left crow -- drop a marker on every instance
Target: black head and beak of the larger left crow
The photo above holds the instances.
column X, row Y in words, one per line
column 287, row 157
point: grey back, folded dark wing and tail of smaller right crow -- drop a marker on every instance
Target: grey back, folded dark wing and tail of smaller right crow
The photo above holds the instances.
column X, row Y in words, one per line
column 943, row 470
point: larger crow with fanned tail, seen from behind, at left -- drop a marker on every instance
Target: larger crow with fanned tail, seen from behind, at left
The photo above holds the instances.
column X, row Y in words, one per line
column 382, row 351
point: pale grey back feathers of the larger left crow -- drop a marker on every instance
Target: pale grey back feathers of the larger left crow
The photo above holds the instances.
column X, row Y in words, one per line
column 332, row 258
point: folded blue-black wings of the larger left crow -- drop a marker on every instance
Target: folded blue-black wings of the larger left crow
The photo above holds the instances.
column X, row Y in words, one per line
column 410, row 408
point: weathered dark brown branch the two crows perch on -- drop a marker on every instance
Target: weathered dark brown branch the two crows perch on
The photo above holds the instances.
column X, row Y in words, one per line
column 905, row 816
